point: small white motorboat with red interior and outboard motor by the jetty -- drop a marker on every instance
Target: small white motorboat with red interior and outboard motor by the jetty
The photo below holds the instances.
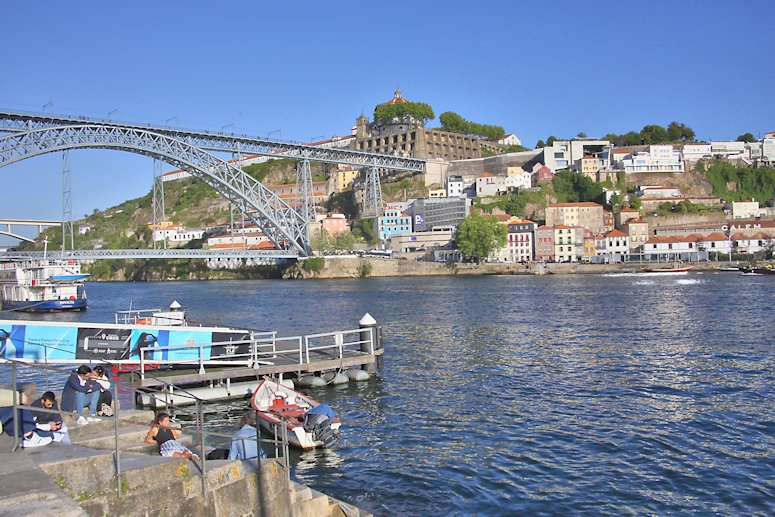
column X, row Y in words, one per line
column 309, row 423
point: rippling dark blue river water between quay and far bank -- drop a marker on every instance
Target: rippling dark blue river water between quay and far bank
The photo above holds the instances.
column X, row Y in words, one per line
column 524, row 395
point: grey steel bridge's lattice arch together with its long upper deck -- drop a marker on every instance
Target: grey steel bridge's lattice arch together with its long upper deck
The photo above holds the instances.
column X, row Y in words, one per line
column 27, row 135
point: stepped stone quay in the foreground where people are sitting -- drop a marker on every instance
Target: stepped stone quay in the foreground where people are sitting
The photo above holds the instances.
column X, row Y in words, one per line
column 80, row 479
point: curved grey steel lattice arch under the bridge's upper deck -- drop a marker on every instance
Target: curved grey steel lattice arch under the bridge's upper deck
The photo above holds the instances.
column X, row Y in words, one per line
column 279, row 222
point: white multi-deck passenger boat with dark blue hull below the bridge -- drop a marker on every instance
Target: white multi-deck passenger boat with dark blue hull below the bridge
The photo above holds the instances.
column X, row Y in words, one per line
column 42, row 286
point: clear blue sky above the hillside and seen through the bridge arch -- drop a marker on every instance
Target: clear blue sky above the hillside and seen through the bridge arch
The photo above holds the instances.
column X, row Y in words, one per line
column 302, row 71
